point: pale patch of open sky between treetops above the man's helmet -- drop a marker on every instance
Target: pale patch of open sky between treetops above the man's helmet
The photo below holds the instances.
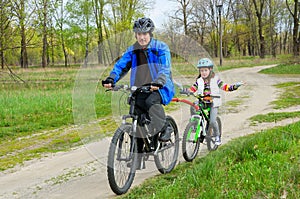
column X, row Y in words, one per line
column 159, row 14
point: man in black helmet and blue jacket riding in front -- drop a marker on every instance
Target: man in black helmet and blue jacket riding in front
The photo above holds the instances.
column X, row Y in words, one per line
column 150, row 62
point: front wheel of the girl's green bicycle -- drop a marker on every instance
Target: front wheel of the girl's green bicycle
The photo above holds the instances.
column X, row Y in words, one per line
column 190, row 147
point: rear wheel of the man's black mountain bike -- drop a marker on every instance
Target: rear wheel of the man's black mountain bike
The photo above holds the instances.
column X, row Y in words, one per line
column 166, row 158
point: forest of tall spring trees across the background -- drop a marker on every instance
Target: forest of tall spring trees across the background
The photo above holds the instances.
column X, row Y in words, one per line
column 46, row 33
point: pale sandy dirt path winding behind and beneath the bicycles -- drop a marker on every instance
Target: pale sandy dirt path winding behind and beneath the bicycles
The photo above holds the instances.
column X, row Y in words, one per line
column 81, row 173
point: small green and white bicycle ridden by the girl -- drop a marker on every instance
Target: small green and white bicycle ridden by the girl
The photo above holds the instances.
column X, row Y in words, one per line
column 198, row 129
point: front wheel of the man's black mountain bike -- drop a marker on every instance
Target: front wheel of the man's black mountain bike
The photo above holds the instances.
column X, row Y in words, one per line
column 121, row 163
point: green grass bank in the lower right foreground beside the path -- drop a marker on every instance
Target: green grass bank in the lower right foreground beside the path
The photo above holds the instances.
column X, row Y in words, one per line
column 264, row 165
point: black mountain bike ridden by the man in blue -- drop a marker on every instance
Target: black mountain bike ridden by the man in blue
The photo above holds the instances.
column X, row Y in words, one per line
column 123, row 155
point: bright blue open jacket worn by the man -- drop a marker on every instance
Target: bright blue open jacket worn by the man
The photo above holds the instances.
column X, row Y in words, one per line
column 159, row 61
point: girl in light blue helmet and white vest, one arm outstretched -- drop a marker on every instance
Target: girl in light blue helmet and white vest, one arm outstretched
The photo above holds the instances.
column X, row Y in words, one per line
column 209, row 84
